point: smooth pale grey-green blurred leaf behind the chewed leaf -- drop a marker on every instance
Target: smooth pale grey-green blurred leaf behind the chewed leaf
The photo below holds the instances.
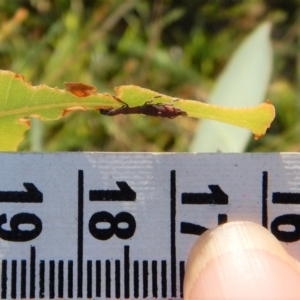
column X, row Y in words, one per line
column 243, row 83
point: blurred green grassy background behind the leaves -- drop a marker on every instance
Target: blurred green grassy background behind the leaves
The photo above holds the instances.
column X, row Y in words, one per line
column 173, row 47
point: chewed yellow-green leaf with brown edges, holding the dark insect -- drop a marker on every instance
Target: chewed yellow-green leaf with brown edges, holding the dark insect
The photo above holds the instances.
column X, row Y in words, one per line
column 21, row 101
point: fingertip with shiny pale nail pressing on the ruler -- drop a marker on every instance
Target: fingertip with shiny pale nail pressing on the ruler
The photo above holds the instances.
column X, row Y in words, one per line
column 240, row 260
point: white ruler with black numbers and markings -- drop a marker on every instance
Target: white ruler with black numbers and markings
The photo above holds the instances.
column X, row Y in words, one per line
column 120, row 225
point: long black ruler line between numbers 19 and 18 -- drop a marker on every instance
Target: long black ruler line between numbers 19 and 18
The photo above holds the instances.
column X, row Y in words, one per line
column 80, row 235
